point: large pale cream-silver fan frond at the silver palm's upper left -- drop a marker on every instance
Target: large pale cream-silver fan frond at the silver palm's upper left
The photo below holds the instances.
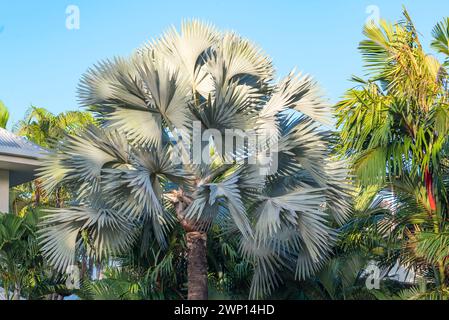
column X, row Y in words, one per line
column 138, row 97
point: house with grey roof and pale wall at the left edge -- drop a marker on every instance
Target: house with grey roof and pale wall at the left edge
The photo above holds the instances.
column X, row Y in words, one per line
column 19, row 160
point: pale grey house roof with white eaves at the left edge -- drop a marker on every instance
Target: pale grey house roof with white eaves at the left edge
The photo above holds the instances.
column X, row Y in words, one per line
column 19, row 156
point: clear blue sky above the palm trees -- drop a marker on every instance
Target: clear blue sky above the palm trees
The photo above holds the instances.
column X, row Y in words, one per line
column 41, row 61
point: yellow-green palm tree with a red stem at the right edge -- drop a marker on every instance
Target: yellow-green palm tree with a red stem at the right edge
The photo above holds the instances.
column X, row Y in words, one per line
column 394, row 127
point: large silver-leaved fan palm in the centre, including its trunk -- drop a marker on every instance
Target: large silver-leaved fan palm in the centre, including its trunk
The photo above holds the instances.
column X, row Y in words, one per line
column 135, row 174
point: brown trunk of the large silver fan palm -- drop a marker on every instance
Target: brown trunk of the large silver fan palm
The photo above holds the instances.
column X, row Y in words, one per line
column 197, row 266
